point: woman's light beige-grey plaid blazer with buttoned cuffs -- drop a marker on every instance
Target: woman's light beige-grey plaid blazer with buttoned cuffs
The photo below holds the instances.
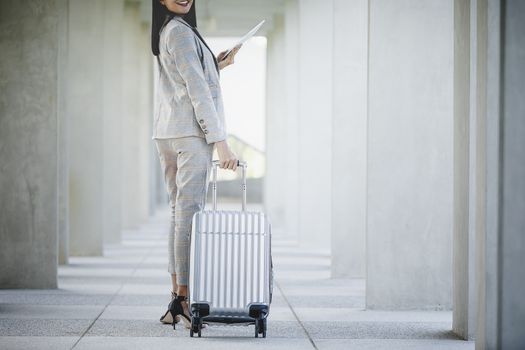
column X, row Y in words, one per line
column 189, row 97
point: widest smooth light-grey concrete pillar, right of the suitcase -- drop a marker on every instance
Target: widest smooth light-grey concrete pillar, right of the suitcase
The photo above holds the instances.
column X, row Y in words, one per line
column 410, row 114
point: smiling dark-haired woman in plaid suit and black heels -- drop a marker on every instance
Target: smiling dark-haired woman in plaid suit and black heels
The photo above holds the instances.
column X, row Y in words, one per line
column 188, row 124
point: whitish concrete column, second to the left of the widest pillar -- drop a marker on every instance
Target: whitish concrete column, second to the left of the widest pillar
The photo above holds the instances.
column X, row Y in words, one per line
column 315, row 123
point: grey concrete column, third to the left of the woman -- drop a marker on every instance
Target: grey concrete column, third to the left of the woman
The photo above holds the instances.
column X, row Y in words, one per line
column 86, row 110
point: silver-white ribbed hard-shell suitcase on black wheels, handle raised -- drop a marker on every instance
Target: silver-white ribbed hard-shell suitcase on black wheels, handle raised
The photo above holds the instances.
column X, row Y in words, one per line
column 231, row 277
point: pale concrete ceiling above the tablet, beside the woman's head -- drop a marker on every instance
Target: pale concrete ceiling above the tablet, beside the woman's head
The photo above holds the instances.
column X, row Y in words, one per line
column 236, row 17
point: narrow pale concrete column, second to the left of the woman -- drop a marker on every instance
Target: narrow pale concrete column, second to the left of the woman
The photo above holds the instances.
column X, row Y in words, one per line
column 113, row 118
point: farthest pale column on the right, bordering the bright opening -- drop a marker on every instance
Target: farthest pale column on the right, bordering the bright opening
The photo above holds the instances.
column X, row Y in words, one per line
column 282, row 145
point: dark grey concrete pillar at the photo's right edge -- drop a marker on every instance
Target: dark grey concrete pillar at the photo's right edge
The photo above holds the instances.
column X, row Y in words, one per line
column 503, row 317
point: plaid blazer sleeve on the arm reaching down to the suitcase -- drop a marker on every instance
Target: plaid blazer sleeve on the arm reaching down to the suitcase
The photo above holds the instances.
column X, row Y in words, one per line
column 182, row 47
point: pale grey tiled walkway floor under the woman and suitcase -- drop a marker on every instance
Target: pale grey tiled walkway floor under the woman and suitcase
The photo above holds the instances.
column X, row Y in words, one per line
column 115, row 301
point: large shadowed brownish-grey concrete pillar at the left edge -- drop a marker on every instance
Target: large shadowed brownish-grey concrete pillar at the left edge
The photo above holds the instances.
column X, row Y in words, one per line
column 30, row 43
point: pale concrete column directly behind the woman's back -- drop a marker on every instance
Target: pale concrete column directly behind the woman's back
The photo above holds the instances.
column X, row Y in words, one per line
column 136, row 111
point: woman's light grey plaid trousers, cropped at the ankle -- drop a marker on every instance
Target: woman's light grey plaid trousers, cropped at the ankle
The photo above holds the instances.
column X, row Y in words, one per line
column 186, row 163
